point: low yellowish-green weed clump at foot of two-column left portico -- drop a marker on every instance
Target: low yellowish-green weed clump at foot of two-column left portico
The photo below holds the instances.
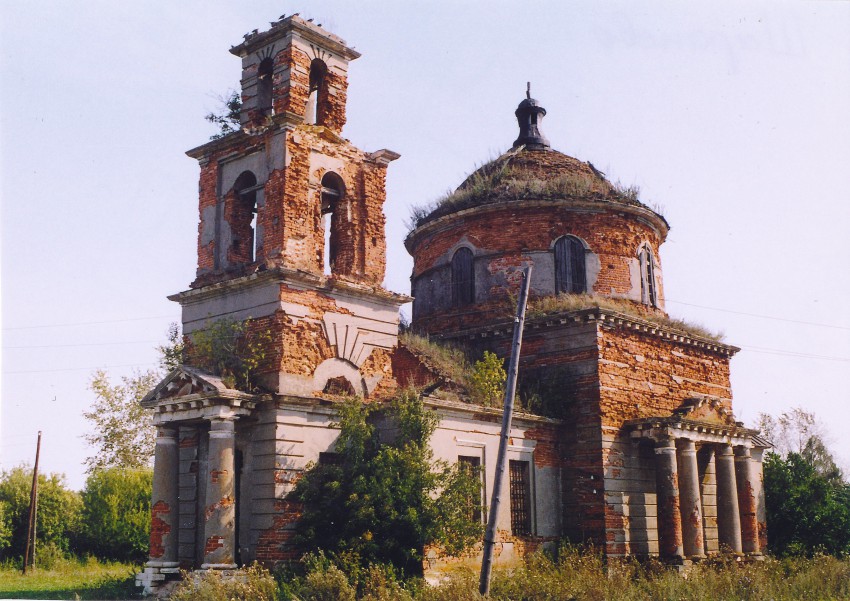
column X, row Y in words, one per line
column 253, row 583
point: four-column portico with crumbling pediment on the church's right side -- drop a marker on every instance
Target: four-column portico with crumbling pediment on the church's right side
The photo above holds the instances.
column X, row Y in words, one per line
column 680, row 509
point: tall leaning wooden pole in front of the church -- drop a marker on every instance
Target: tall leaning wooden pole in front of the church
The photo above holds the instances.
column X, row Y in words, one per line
column 507, row 415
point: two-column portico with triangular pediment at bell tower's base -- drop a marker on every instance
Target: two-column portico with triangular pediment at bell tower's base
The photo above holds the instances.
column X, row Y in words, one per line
column 199, row 401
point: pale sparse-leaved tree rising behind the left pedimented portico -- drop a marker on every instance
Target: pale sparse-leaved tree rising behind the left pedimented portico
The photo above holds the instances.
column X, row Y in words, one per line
column 122, row 434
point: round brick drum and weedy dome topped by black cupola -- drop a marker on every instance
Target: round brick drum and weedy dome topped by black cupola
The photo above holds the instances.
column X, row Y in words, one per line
column 533, row 205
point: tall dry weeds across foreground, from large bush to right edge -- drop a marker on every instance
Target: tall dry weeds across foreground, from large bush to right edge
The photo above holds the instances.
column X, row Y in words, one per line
column 584, row 575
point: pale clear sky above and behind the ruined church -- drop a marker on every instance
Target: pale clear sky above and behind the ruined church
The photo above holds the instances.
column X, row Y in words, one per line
column 733, row 117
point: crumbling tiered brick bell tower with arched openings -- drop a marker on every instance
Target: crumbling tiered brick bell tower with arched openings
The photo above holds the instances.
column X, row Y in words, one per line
column 291, row 222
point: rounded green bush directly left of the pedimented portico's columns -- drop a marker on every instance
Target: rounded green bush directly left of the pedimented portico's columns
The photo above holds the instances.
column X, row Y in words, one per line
column 116, row 515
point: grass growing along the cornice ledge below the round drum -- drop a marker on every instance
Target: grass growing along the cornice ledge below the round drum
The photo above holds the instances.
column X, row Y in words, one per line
column 547, row 305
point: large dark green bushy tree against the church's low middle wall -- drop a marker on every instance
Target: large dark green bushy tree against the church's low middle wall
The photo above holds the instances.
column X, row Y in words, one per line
column 386, row 497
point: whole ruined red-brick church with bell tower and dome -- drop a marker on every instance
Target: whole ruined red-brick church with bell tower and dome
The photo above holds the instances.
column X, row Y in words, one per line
column 625, row 436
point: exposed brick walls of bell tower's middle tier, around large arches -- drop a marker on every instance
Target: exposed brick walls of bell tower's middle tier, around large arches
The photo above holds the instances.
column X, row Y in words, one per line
column 291, row 217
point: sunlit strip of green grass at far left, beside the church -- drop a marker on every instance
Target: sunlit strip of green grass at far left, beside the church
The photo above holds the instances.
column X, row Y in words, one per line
column 70, row 579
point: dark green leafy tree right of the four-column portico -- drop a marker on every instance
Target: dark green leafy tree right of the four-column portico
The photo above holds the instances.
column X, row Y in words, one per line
column 807, row 512
